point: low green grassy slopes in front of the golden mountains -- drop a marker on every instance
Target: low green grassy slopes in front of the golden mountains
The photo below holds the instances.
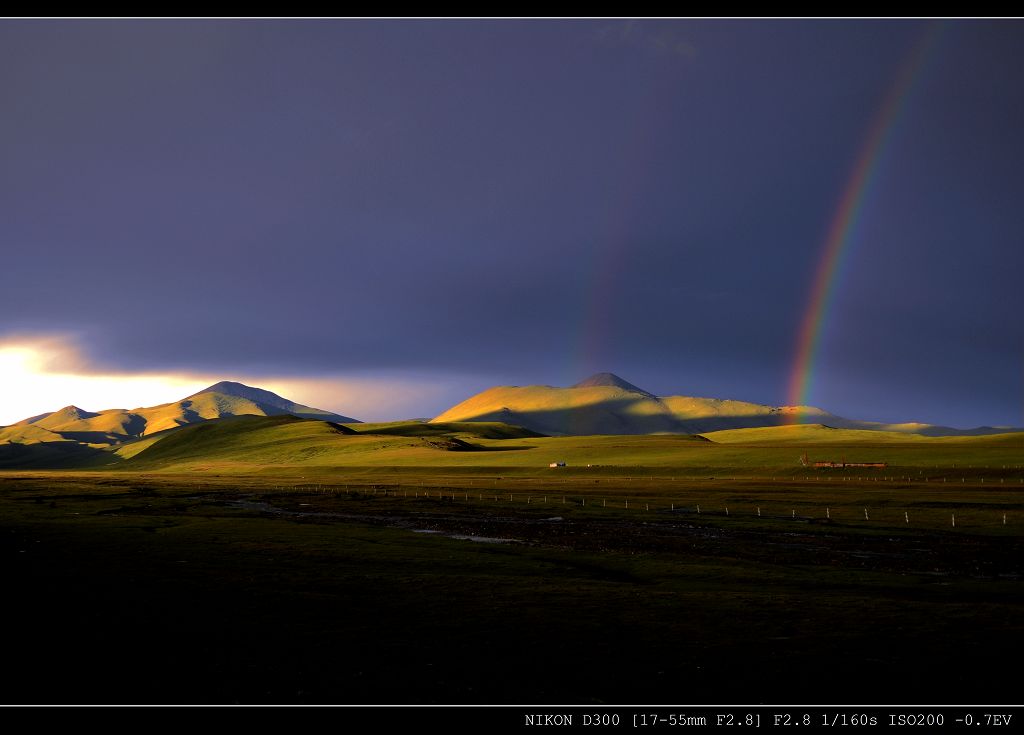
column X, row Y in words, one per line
column 287, row 445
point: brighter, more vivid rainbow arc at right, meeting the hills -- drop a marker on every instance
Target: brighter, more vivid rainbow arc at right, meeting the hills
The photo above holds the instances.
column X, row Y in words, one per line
column 848, row 214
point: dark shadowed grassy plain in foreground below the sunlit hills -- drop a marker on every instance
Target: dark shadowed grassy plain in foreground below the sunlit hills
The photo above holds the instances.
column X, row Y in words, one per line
column 124, row 589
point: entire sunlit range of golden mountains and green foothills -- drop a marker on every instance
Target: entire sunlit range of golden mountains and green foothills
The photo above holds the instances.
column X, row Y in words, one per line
column 604, row 421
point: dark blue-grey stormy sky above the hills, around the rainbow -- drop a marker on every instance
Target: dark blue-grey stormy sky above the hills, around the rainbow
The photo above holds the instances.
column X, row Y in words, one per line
column 459, row 204
